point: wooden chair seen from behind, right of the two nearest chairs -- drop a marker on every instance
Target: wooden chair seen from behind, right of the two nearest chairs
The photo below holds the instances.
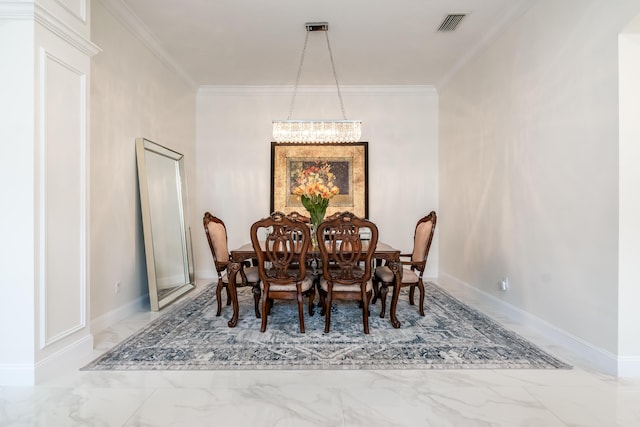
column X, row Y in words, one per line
column 346, row 263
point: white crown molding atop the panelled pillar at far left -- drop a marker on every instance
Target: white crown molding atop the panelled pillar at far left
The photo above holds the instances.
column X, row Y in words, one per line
column 34, row 12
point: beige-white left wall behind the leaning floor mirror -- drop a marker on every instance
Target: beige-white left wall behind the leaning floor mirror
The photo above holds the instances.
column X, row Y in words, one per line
column 133, row 94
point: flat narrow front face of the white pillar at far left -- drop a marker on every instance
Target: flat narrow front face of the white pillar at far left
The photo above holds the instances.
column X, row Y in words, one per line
column 17, row 178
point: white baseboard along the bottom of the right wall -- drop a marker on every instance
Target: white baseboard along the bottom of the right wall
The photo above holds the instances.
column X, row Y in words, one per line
column 598, row 359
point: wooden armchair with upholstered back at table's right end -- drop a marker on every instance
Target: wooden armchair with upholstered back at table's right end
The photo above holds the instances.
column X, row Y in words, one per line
column 413, row 265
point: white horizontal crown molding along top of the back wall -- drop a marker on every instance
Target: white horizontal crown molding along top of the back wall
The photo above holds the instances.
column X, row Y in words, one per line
column 287, row 90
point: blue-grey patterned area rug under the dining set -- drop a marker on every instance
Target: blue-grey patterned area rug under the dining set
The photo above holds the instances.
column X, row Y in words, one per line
column 452, row 335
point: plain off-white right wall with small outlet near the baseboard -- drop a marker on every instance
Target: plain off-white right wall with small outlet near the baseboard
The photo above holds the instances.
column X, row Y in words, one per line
column 529, row 167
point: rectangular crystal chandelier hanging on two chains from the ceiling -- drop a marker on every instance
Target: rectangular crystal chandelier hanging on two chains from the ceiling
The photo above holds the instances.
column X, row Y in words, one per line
column 308, row 131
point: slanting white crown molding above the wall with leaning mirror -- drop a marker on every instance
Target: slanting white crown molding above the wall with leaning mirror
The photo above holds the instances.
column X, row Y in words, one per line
column 135, row 26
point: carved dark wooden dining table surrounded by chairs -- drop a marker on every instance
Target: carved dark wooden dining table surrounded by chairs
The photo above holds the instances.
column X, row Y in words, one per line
column 383, row 252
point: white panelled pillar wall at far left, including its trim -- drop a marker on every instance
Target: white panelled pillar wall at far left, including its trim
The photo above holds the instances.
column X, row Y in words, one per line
column 44, row 314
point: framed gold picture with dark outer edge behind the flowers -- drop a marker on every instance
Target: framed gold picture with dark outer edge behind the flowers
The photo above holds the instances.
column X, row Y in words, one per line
column 348, row 161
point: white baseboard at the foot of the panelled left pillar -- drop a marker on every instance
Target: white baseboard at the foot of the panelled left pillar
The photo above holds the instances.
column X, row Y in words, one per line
column 69, row 357
